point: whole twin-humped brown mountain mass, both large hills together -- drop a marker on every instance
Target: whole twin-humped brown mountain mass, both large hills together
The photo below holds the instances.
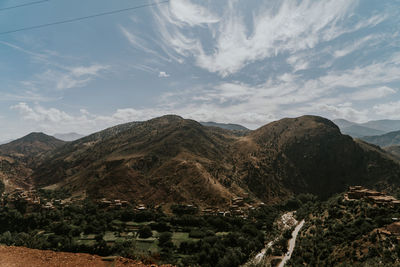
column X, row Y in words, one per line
column 169, row 159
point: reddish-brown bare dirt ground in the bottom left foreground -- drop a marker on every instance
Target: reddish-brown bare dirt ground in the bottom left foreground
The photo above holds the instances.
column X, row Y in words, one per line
column 23, row 257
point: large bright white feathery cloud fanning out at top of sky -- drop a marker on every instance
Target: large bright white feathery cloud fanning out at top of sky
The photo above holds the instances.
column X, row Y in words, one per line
column 276, row 28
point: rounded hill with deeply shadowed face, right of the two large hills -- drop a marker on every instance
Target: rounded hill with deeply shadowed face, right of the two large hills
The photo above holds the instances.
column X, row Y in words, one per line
column 310, row 155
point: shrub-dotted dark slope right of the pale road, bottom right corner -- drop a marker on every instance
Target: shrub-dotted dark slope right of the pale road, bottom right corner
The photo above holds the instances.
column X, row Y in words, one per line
column 348, row 231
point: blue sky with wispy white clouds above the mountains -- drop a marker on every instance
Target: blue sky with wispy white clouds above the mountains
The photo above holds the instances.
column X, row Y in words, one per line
column 248, row 62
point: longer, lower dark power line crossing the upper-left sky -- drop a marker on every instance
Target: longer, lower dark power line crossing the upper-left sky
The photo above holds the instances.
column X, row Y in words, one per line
column 82, row 18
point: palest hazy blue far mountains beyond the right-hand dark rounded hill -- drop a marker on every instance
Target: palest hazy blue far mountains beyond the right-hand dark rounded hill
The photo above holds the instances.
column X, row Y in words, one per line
column 370, row 128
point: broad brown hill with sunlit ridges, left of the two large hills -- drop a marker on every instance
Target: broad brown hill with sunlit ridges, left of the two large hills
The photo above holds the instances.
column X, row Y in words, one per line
column 166, row 159
